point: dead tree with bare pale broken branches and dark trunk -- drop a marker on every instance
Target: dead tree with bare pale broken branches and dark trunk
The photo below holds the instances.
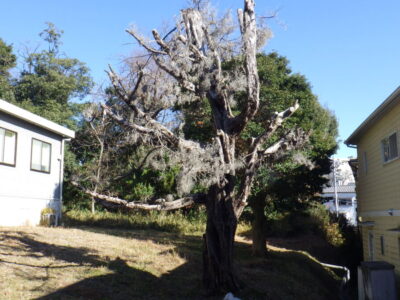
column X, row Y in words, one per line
column 193, row 57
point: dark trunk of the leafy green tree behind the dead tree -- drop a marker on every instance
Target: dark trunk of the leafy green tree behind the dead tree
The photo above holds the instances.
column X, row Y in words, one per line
column 259, row 226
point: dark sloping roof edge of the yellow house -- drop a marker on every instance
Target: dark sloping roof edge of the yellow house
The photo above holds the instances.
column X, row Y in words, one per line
column 374, row 116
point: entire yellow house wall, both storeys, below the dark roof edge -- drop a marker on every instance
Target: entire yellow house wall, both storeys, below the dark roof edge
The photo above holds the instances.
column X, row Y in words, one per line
column 378, row 191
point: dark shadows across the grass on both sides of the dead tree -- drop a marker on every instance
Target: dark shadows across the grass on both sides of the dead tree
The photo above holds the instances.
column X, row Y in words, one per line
column 283, row 275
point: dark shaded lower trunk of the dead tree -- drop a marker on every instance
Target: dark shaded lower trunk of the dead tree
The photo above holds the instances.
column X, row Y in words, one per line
column 218, row 269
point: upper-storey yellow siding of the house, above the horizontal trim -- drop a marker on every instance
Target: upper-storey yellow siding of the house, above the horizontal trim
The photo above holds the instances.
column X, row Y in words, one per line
column 379, row 189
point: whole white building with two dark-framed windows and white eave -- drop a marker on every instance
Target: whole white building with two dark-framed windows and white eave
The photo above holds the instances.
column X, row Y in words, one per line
column 31, row 165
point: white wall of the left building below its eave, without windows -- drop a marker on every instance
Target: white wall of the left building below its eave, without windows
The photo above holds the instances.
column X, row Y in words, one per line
column 23, row 192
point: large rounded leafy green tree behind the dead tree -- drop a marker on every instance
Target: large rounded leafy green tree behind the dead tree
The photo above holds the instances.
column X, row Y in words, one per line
column 287, row 183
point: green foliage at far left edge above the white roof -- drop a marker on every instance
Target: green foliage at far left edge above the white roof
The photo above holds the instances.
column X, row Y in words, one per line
column 7, row 62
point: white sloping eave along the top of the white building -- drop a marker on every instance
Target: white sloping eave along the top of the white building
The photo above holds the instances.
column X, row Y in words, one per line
column 34, row 119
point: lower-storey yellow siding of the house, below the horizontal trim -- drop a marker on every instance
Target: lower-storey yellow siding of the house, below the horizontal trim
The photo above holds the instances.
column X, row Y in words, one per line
column 382, row 227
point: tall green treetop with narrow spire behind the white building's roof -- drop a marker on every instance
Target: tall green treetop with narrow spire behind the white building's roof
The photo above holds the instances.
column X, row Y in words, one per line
column 50, row 80
